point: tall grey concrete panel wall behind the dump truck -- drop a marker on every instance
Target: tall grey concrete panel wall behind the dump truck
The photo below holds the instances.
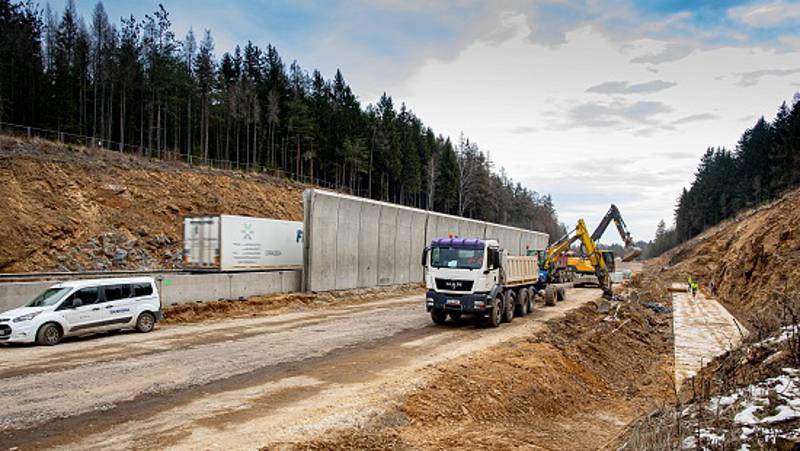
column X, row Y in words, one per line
column 352, row 242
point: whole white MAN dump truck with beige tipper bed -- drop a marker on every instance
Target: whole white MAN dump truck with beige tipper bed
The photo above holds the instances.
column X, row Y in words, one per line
column 477, row 277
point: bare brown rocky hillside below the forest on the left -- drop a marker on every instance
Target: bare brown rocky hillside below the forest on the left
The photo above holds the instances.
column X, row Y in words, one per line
column 65, row 208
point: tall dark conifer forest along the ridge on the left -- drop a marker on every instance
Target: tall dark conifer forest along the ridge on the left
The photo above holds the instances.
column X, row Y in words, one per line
column 135, row 85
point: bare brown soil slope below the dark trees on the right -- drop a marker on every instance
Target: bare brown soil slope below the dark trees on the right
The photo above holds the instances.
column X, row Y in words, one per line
column 749, row 263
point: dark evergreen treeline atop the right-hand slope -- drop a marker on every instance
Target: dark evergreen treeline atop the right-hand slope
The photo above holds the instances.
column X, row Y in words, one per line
column 764, row 165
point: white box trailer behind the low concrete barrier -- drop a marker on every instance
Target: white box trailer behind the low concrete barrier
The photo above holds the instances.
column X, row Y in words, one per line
column 241, row 243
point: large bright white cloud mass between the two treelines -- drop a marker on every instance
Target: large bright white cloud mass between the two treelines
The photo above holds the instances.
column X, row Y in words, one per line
column 527, row 104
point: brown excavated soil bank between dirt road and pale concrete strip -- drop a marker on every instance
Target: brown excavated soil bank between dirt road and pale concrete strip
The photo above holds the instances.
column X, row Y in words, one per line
column 573, row 386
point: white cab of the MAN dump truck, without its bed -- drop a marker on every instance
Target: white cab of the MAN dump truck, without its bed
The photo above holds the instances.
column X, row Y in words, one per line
column 462, row 275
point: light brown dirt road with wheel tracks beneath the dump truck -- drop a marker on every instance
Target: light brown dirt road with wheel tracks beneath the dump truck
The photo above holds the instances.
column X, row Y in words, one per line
column 238, row 383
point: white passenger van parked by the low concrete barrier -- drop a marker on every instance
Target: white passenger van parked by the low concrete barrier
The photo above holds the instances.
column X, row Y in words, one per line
column 83, row 306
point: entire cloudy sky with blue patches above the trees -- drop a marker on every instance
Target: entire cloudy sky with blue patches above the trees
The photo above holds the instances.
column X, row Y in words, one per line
column 593, row 101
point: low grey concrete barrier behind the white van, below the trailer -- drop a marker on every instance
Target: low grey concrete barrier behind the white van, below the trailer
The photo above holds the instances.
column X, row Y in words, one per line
column 181, row 288
